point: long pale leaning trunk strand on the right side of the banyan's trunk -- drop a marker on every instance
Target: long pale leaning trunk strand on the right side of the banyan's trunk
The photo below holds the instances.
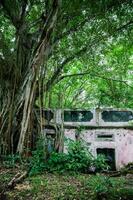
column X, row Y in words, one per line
column 40, row 55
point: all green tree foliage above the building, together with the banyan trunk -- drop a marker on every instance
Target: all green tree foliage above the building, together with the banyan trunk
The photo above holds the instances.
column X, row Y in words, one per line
column 61, row 53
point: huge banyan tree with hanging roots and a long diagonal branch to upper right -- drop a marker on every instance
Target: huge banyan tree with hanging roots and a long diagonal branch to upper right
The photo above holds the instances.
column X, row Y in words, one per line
column 35, row 37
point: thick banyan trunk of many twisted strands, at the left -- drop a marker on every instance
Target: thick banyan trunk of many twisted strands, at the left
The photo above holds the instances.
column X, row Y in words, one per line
column 17, row 119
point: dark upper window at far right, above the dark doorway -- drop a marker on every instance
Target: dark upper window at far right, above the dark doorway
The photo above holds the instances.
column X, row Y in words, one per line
column 117, row 116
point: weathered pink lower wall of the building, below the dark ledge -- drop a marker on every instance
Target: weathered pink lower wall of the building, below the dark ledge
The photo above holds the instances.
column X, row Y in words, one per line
column 122, row 142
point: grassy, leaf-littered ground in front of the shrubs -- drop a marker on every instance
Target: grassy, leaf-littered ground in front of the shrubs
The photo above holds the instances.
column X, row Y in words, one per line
column 66, row 187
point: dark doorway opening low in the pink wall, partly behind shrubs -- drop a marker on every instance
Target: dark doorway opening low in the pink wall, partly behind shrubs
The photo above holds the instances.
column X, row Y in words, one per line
column 109, row 155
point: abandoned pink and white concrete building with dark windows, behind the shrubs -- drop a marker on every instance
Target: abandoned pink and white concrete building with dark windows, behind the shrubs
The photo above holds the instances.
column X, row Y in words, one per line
column 105, row 131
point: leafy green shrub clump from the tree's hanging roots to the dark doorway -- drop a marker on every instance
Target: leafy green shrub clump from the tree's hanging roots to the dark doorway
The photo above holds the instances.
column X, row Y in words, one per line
column 77, row 159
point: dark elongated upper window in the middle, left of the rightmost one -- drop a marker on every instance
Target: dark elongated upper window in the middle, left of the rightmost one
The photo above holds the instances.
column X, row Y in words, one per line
column 78, row 116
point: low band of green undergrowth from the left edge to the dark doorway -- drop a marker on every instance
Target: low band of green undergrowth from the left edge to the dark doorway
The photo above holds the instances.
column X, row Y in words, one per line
column 77, row 159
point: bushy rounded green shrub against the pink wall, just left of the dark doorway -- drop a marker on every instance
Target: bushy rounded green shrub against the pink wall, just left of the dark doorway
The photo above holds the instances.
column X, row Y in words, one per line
column 77, row 159
